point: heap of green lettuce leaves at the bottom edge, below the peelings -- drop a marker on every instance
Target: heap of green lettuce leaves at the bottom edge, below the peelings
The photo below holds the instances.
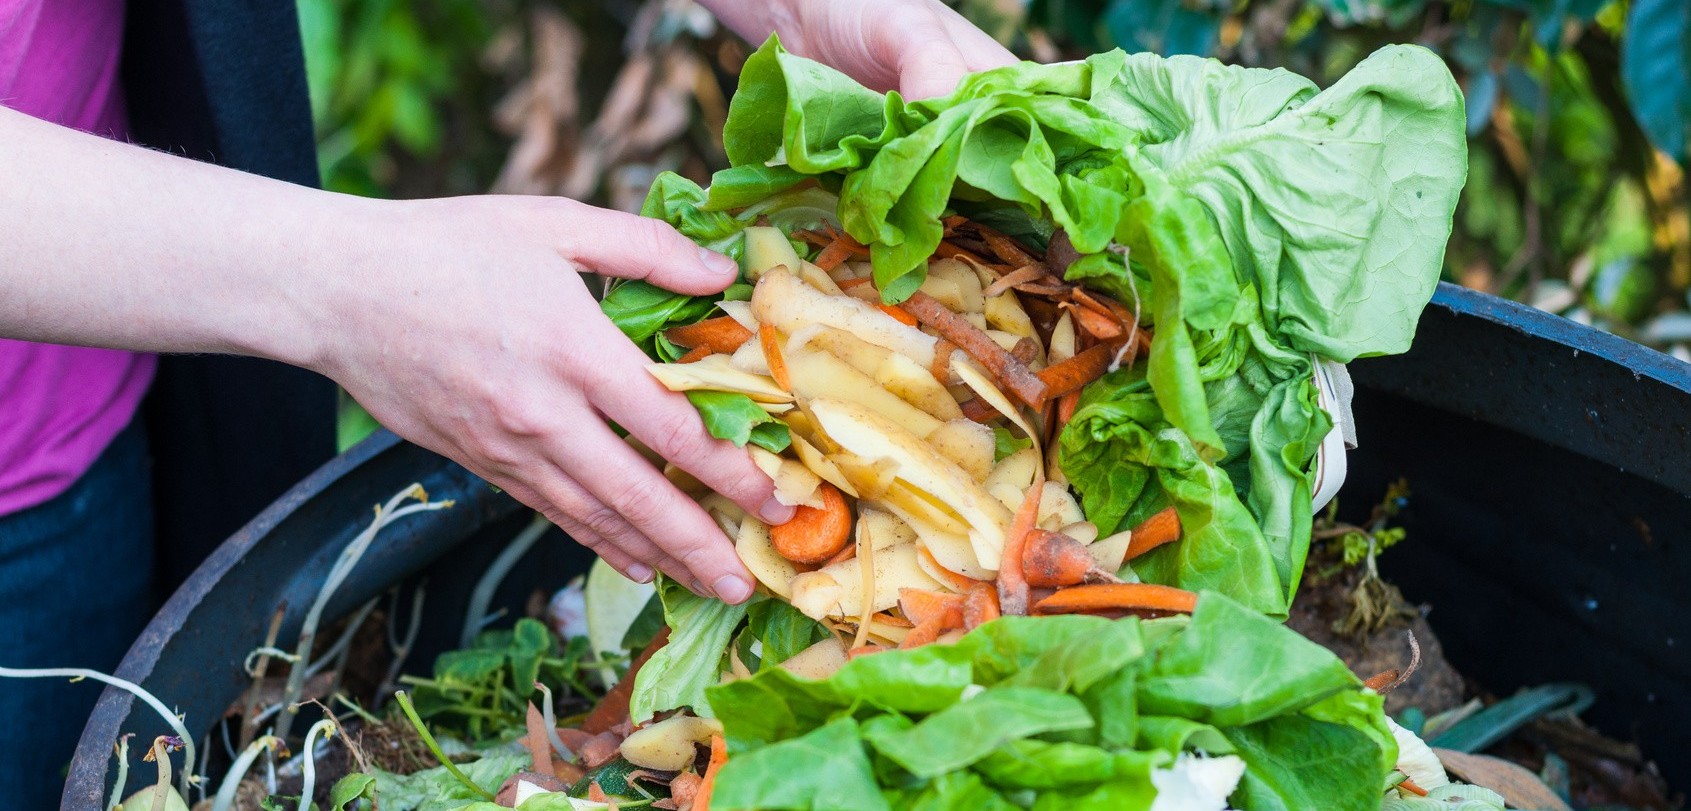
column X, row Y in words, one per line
column 1061, row 712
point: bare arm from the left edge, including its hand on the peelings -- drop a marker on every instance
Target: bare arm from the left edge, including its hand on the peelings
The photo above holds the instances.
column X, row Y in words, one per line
column 461, row 324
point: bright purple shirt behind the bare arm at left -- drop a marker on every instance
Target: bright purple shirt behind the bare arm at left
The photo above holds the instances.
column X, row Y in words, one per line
column 60, row 406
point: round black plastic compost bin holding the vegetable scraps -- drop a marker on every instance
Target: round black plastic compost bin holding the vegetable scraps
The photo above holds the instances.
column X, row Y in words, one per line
column 1550, row 530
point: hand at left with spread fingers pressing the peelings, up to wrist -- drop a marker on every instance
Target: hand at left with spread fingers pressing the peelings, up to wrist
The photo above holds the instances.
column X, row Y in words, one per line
column 468, row 329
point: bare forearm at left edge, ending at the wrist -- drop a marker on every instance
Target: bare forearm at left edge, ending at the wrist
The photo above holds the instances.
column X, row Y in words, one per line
column 116, row 246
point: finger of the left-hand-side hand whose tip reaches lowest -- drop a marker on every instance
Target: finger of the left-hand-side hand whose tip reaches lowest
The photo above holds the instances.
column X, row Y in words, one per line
column 630, row 487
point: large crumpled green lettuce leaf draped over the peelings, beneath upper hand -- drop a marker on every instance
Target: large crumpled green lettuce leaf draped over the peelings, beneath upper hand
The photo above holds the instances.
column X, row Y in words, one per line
column 1250, row 219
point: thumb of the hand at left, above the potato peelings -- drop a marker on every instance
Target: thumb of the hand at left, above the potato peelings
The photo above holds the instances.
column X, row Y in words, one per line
column 638, row 248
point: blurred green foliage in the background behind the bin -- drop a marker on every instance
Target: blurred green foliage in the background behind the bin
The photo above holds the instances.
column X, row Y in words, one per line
column 1577, row 199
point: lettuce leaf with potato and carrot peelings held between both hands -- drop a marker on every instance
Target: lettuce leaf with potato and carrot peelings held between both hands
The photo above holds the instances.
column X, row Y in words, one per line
column 1207, row 234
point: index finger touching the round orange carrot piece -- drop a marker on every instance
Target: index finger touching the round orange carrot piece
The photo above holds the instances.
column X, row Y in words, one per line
column 672, row 427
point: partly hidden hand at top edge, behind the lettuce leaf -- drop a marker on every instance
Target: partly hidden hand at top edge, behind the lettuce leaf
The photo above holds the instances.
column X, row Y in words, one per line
column 919, row 48
